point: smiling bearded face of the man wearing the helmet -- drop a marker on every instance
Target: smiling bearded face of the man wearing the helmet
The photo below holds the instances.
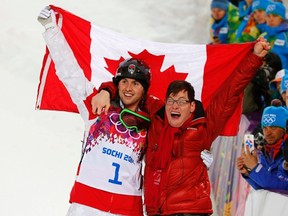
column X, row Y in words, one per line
column 131, row 93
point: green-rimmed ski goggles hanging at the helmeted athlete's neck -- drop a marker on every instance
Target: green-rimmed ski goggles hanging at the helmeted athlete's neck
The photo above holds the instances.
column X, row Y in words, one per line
column 133, row 120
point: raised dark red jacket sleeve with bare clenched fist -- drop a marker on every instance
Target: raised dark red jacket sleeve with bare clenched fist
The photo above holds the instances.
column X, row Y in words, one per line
column 227, row 98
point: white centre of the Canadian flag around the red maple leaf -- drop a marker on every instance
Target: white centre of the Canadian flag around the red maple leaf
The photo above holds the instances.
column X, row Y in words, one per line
column 190, row 58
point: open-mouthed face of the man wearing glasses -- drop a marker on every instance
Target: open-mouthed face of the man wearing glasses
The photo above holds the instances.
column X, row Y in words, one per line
column 178, row 108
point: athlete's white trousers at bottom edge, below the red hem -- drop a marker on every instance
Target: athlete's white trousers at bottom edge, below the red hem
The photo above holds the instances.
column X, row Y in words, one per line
column 76, row 209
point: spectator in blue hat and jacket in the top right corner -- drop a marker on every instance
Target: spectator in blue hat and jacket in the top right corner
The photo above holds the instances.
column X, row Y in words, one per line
column 277, row 31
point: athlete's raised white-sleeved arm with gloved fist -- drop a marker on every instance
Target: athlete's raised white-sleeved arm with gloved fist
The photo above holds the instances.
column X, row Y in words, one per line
column 67, row 68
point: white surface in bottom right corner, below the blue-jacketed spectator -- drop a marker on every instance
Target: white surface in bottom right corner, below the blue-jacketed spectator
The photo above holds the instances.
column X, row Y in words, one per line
column 266, row 203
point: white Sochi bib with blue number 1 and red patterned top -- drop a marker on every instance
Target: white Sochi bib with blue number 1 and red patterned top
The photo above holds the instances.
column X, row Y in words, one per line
column 111, row 159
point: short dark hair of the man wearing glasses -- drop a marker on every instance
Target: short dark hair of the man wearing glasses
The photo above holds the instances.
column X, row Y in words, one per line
column 179, row 85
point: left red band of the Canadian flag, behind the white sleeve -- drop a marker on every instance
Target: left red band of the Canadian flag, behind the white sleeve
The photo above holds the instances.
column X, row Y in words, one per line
column 77, row 33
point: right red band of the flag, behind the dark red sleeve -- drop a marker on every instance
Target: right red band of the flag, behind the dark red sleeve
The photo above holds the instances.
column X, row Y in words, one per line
column 221, row 61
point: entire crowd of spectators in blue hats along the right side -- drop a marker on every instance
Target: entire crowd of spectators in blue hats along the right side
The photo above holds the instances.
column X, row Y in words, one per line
column 265, row 103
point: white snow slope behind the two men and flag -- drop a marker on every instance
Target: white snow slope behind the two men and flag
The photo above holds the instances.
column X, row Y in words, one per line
column 40, row 150
